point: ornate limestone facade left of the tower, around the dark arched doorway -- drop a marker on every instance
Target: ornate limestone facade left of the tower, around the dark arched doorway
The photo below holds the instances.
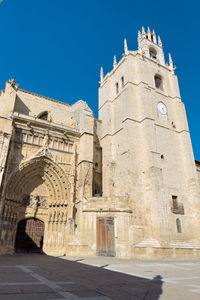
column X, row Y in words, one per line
column 46, row 166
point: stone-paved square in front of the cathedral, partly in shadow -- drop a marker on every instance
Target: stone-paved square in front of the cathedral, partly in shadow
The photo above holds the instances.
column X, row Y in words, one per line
column 31, row 277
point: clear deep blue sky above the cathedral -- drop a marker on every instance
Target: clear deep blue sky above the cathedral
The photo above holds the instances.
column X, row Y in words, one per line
column 56, row 47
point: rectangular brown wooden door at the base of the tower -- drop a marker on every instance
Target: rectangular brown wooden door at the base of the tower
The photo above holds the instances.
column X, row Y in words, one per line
column 105, row 237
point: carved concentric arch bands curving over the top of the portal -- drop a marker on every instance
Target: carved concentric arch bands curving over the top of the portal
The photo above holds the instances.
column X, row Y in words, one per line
column 48, row 172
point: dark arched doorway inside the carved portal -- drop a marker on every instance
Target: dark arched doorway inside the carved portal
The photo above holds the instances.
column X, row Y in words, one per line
column 29, row 237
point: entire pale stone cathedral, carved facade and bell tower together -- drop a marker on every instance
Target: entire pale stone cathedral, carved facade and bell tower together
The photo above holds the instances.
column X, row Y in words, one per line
column 125, row 184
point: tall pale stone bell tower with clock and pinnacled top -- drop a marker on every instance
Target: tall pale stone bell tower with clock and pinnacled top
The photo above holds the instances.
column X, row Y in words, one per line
column 147, row 151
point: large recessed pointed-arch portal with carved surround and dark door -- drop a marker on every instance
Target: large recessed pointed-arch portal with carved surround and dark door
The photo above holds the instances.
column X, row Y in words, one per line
column 38, row 189
